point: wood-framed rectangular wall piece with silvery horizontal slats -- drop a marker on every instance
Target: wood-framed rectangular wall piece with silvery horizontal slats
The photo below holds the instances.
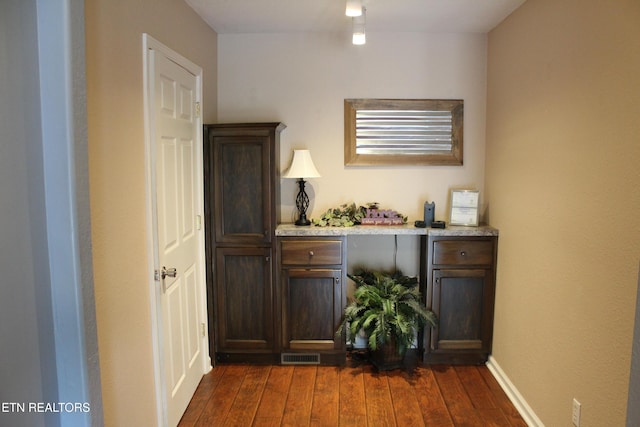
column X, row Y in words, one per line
column 403, row 132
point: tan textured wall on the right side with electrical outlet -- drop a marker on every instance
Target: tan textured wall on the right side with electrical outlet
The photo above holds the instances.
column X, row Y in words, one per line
column 562, row 184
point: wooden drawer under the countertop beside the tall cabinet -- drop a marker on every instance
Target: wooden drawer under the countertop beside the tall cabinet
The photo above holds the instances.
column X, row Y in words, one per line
column 311, row 252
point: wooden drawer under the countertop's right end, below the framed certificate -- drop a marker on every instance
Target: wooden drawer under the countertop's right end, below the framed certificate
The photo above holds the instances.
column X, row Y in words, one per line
column 463, row 252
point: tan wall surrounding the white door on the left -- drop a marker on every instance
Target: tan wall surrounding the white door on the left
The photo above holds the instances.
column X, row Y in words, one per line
column 117, row 182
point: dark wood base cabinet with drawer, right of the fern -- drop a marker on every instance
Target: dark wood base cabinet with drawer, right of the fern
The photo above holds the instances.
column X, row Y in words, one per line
column 460, row 289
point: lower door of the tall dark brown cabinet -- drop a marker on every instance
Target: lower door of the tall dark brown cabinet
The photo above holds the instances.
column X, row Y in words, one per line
column 244, row 294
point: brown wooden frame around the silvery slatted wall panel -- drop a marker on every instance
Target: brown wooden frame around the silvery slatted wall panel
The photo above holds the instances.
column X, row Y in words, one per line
column 452, row 157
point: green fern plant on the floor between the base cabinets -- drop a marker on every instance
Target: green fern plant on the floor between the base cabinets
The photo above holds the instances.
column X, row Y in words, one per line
column 387, row 307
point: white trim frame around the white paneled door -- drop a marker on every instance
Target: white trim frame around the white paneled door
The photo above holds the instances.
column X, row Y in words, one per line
column 149, row 43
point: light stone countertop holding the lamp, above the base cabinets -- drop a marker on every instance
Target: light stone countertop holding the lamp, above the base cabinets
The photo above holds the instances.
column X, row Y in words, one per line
column 373, row 230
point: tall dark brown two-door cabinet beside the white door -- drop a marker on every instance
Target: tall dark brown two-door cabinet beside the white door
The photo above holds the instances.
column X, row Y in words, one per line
column 242, row 201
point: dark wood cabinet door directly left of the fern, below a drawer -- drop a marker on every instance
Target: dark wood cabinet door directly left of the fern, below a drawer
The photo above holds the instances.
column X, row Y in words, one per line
column 313, row 301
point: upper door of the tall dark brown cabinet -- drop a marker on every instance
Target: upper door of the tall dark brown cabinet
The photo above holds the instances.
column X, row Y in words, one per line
column 242, row 189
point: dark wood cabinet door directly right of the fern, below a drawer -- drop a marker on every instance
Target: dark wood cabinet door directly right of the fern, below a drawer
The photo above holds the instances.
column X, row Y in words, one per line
column 463, row 301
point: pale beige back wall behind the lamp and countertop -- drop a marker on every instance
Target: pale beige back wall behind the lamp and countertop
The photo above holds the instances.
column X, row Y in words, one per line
column 303, row 79
